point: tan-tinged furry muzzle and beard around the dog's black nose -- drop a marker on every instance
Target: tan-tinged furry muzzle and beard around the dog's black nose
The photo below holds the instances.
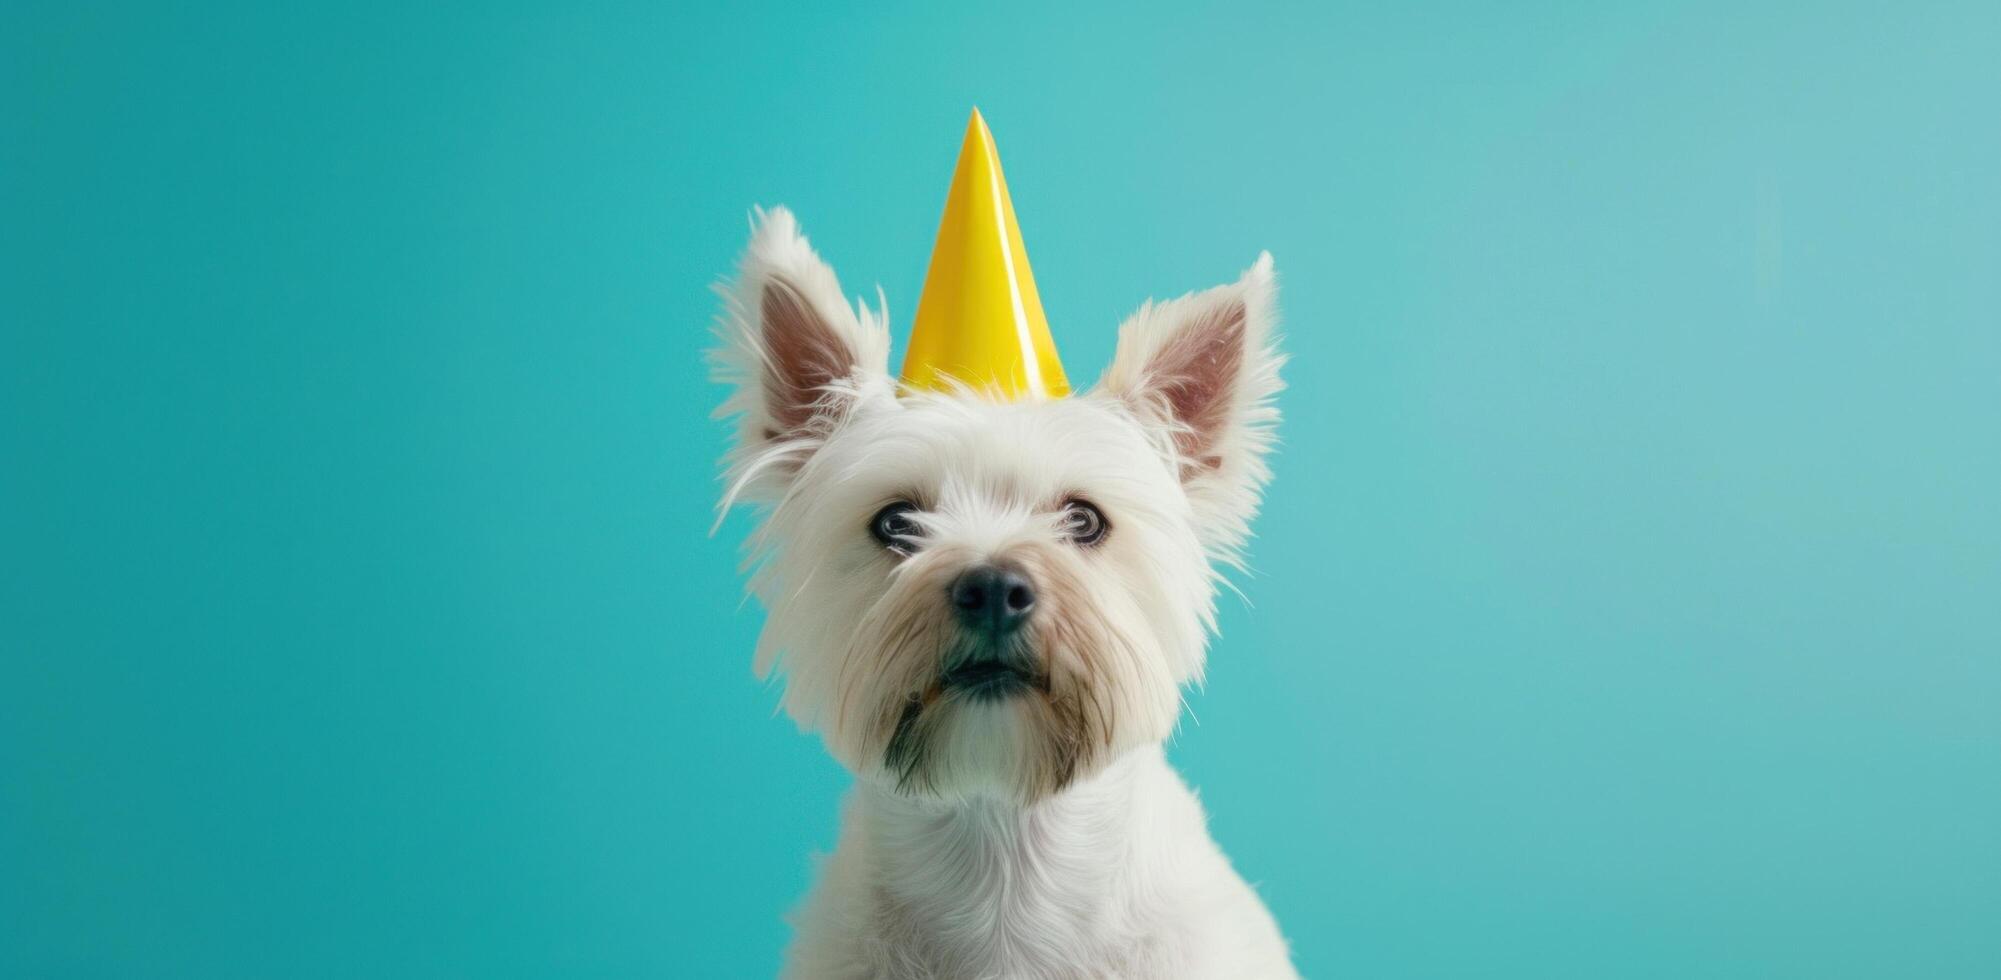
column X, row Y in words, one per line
column 1078, row 687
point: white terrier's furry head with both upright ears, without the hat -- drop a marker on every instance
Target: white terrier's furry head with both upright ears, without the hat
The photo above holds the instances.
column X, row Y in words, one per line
column 981, row 597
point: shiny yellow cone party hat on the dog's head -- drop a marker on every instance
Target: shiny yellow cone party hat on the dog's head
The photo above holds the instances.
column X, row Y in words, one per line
column 981, row 321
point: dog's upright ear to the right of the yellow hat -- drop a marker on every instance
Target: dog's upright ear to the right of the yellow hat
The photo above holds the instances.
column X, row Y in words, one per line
column 1204, row 371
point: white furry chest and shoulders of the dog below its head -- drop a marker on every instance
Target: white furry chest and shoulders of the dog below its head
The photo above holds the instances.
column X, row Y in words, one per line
column 1114, row 879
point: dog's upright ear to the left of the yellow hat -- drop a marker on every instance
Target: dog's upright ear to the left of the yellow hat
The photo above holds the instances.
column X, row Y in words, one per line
column 791, row 349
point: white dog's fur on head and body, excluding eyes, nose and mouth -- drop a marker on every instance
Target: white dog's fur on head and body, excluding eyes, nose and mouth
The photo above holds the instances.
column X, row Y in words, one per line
column 1042, row 835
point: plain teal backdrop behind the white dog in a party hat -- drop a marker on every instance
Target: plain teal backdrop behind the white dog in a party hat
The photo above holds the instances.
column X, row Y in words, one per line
column 1628, row 603
